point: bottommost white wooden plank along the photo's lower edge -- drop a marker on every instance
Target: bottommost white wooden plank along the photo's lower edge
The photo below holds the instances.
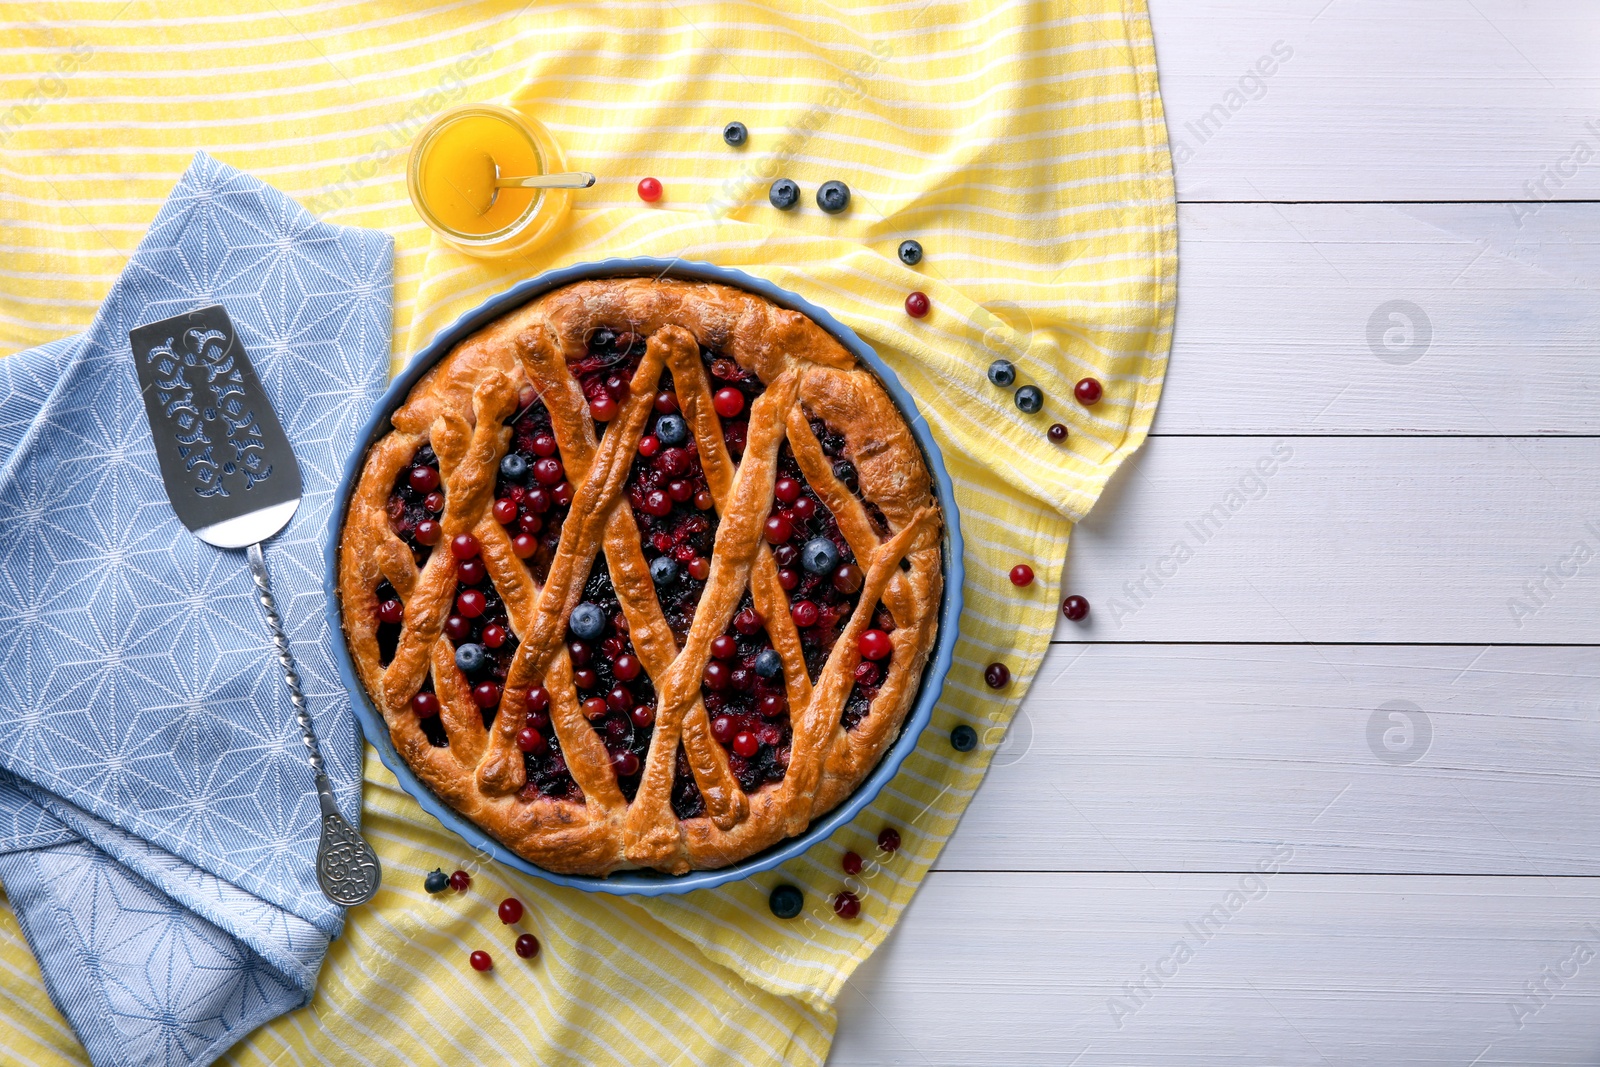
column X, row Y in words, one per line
column 1276, row 970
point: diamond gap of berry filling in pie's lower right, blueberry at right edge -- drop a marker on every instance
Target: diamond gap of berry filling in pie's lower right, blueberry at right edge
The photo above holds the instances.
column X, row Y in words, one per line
column 746, row 701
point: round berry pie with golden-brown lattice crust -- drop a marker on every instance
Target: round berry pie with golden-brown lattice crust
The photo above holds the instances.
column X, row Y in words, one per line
column 492, row 396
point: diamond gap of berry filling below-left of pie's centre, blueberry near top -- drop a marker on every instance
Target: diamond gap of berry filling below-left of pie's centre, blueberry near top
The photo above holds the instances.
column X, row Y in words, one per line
column 617, row 695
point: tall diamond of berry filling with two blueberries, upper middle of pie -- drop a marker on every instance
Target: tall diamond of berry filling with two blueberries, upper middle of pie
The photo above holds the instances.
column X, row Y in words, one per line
column 673, row 508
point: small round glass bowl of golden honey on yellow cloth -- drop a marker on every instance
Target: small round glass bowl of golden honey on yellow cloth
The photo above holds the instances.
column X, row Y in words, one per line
column 452, row 175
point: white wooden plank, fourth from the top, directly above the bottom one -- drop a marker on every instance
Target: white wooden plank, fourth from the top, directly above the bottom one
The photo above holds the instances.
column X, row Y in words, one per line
column 1362, row 759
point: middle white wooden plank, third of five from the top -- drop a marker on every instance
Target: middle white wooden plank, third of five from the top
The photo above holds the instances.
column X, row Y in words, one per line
column 1345, row 540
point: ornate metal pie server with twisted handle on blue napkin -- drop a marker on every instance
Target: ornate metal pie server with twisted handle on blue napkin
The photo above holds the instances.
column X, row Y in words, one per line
column 233, row 479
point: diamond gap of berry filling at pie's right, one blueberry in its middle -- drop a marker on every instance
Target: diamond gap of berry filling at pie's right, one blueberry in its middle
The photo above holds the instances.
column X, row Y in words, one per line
column 815, row 564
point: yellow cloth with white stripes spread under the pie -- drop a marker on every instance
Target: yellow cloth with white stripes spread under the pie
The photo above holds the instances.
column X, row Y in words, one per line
column 1020, row 142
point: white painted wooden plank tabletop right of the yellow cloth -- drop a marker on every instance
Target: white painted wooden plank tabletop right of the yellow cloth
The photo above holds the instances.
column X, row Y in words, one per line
column 1318, row 783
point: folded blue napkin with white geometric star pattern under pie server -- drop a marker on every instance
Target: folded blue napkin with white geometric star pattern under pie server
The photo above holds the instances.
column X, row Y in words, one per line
column 158, row 818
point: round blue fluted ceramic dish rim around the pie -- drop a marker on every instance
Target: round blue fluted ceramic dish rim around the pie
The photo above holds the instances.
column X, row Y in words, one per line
column 652, row 882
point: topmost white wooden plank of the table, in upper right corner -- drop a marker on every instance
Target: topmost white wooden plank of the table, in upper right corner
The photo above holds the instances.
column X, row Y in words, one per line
column 1382, row 100
